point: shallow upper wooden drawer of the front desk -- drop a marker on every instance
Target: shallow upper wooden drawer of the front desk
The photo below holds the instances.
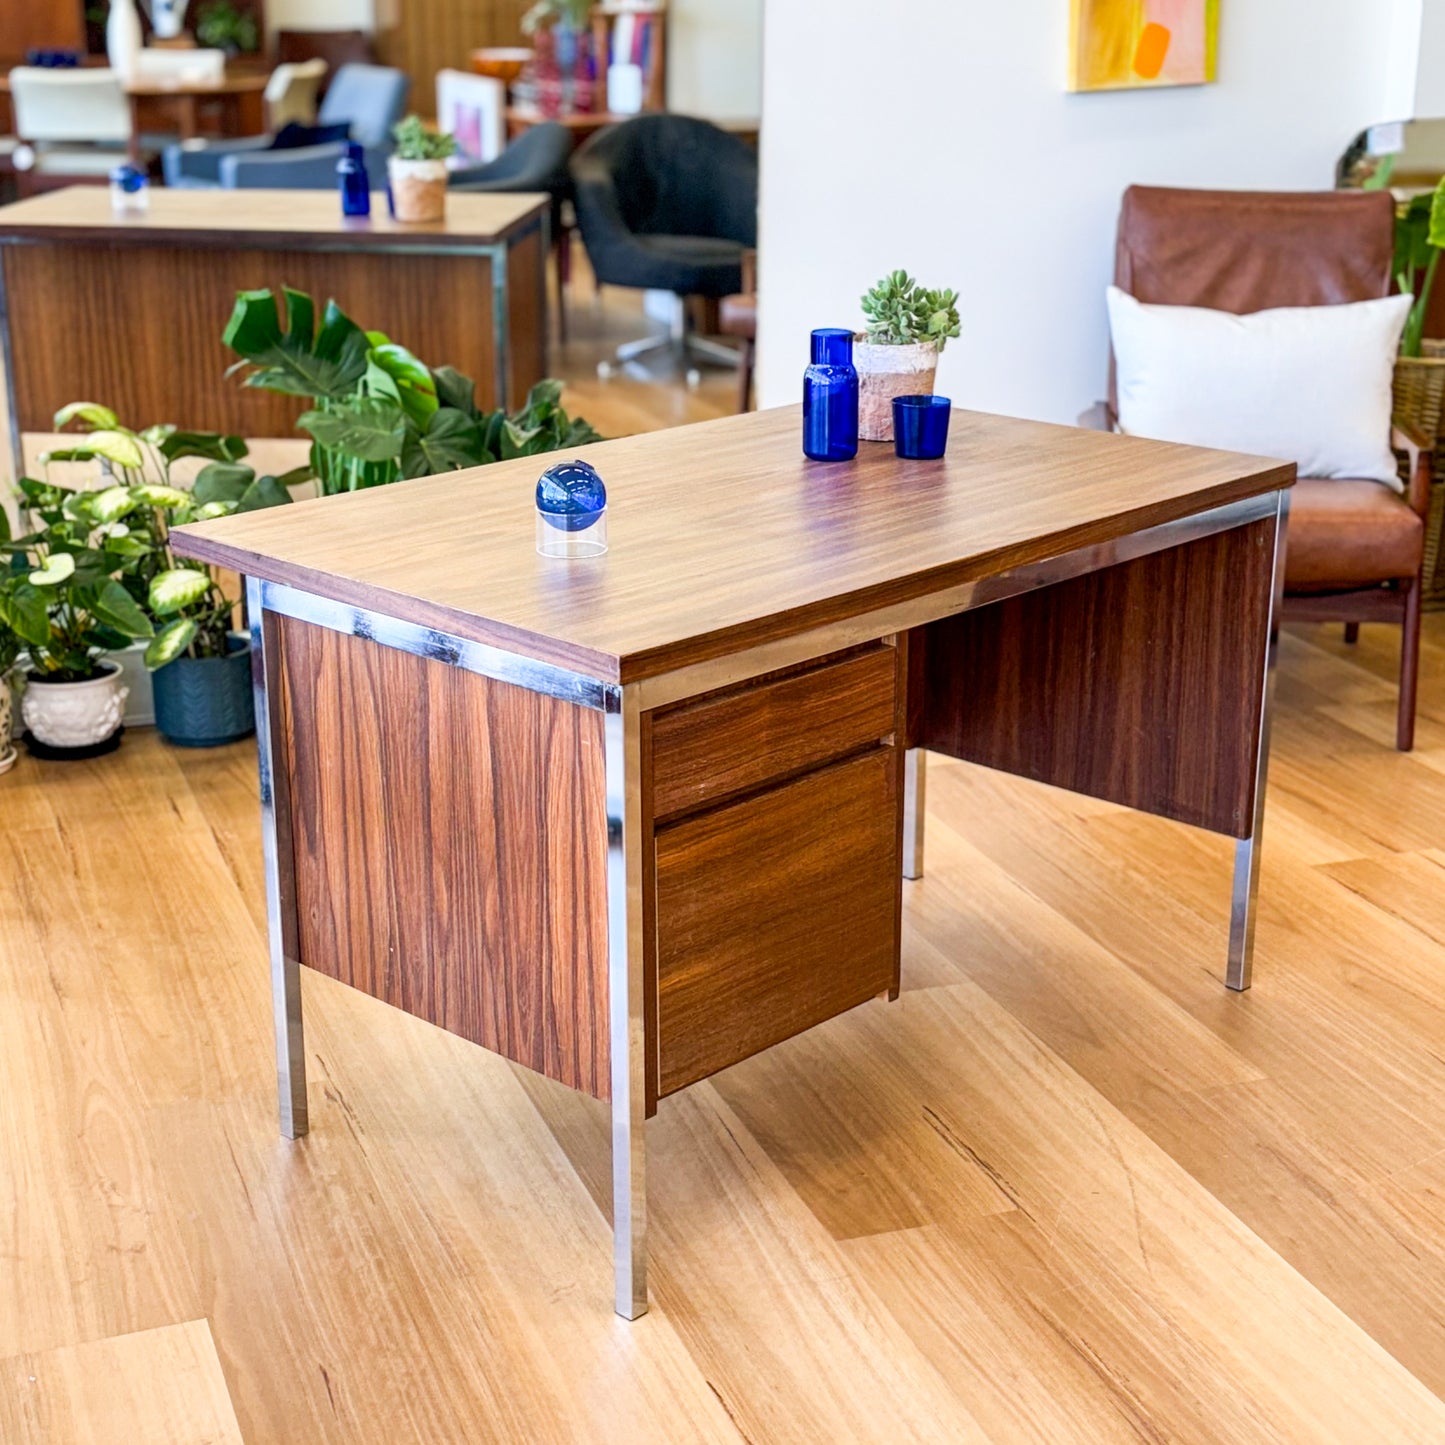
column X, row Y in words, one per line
column 771, row 729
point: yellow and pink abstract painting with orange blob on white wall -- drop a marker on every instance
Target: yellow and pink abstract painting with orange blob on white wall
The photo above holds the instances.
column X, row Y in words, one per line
column 1134, row 44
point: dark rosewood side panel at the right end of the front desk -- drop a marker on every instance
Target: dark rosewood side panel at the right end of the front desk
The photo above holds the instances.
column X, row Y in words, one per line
column 1138, row 684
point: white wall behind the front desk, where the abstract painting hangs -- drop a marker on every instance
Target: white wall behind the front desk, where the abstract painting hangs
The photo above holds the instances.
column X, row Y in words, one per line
column 937, row 135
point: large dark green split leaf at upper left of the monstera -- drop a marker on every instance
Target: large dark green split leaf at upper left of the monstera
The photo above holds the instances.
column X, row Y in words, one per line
column 301, row 361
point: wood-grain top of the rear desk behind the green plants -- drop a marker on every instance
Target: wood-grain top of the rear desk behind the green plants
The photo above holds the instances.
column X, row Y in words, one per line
column 261, row 219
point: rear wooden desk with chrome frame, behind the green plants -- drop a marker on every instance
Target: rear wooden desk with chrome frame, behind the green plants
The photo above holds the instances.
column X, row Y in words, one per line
column 131, row 311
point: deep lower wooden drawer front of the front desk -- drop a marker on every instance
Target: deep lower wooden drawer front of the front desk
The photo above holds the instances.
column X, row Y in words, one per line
column 777, row 914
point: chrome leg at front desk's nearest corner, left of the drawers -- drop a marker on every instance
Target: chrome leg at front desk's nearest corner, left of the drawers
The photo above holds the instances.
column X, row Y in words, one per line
column 625, row 983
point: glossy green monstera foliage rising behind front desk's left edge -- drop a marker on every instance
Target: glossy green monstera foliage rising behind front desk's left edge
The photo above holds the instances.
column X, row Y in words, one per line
column 381, row 415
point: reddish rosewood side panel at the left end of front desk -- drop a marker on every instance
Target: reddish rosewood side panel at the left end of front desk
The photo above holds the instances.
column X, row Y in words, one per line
column 450, row 846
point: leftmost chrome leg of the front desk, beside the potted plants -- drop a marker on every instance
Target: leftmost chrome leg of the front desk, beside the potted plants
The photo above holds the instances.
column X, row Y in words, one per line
column 281, row 871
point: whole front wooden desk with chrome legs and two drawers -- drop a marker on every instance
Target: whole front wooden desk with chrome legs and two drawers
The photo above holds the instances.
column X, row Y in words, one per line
column 628, row 821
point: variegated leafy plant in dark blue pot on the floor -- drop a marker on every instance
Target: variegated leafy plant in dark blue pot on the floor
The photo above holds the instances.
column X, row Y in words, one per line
column 200, row 665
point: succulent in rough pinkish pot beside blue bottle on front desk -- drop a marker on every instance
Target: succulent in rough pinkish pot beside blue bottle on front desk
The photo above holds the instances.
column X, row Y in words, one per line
column 897, row 355
